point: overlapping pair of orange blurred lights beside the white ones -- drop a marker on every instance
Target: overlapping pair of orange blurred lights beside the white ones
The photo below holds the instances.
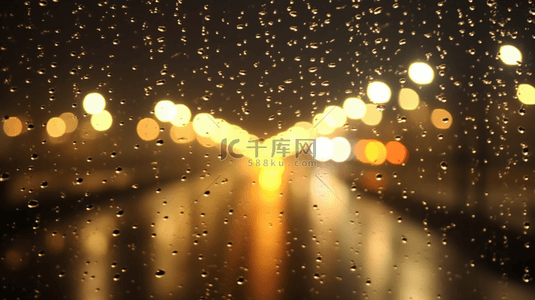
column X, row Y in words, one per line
column 374, row 152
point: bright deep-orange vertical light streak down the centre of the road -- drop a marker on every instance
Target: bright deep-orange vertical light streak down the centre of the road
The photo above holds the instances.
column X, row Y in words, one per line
column 258, row 239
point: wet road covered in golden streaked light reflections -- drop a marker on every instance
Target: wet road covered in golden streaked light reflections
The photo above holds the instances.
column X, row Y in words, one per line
column 226, row 235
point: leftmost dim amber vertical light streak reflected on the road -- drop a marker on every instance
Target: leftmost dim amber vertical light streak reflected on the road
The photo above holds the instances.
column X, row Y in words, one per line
column 96, row 240
